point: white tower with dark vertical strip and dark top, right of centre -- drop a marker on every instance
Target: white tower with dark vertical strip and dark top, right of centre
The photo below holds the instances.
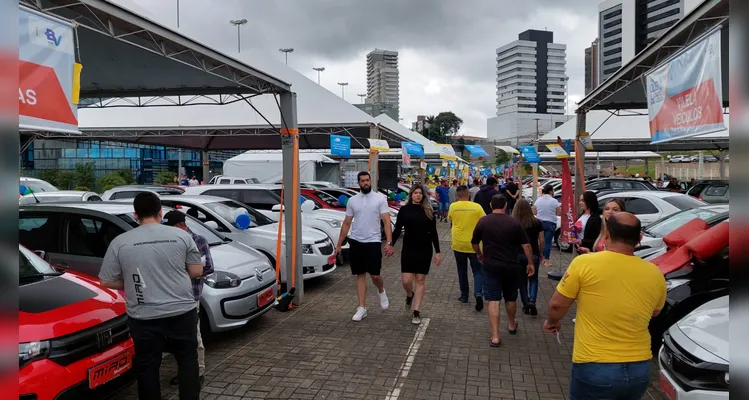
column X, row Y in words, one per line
column 531, row 87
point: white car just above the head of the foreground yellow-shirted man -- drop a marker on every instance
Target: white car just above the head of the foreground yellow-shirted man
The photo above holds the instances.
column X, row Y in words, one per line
column 651, row 205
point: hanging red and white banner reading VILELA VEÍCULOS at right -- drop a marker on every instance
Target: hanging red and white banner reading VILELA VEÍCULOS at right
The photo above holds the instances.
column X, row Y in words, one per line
column 685, row 95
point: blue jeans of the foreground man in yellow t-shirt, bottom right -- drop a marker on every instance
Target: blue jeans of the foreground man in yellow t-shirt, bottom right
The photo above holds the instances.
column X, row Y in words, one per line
column 609, row 381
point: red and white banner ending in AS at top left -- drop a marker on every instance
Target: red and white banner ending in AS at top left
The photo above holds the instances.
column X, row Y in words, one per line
column 46, row 70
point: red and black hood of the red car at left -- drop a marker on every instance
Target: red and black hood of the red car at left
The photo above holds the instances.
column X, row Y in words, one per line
column 65, row 304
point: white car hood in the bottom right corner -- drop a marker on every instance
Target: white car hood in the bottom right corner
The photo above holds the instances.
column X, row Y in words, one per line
column 705, row 331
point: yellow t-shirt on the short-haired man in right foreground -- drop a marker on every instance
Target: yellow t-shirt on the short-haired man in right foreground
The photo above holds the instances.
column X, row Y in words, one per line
column 616, row 297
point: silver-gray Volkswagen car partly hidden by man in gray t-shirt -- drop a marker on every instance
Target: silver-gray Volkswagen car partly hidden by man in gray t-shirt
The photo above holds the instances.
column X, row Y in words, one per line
column 76, row 236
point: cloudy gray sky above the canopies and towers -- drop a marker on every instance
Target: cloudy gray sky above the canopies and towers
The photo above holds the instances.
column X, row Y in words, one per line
column 447, row 47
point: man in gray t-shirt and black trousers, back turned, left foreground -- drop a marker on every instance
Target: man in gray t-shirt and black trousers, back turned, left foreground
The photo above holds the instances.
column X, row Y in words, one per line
column 154, row 265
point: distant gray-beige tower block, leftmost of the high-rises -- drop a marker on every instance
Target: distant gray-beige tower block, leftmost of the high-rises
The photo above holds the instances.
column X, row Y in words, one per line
column 382, row 79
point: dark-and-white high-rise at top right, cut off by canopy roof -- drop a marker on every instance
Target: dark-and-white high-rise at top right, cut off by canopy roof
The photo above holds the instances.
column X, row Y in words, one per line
column 626, row 27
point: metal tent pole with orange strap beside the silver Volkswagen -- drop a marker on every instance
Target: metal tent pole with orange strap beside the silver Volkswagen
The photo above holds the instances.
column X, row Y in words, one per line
column 292, row 194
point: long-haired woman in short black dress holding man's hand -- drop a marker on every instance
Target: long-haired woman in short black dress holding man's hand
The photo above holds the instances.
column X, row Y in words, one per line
column 418, row 220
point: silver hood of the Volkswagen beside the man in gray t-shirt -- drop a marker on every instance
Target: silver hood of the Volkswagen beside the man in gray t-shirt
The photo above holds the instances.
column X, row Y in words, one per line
column 237, row 258
